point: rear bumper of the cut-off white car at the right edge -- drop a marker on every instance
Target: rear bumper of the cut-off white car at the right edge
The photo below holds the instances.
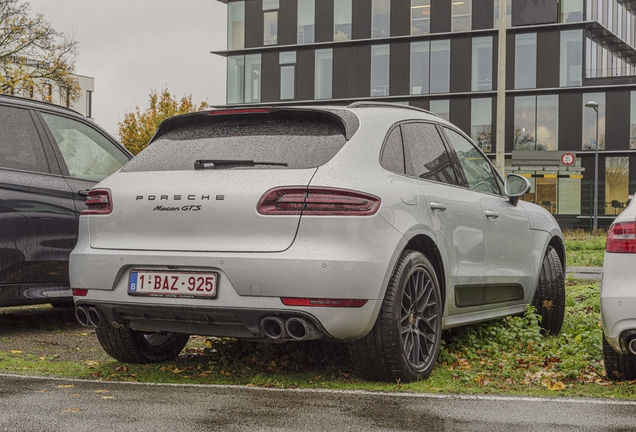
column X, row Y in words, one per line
column 618, row 300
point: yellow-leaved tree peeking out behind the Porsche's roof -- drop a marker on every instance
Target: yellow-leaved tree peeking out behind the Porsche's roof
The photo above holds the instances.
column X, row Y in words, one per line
column 138, row 127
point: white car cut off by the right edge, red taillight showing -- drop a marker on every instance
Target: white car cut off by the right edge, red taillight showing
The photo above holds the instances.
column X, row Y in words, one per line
column 618, row 298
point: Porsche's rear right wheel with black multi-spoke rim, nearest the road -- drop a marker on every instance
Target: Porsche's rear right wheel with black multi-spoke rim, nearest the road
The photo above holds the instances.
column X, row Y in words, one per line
column 404, row 342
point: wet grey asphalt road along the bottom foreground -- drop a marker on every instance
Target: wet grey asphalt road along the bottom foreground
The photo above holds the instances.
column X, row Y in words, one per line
column 42, row 404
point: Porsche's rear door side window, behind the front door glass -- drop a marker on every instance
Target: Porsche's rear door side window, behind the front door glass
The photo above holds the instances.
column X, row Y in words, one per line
column 425, row 155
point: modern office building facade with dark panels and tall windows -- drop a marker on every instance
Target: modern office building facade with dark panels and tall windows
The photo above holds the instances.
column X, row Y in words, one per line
column 441, row 55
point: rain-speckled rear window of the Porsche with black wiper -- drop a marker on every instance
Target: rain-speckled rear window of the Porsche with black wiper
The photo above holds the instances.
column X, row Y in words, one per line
column 299, row 142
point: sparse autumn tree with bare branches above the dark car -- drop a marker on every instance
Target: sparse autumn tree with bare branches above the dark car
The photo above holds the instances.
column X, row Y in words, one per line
column 33, row 55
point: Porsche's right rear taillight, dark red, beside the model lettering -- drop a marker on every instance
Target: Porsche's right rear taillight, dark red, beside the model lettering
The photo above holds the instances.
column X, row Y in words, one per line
column 317, row 202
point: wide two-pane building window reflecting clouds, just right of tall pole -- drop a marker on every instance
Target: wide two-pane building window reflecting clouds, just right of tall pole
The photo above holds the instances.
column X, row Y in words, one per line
column 536, row 123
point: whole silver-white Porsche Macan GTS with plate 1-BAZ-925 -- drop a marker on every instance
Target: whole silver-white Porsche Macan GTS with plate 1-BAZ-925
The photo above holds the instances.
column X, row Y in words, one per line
column 375, row 224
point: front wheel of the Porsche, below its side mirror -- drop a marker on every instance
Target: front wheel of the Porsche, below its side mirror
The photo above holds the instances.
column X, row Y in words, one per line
column 549, row 298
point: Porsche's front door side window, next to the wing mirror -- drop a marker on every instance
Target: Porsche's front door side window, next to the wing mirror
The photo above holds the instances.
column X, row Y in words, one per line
column 477, row 168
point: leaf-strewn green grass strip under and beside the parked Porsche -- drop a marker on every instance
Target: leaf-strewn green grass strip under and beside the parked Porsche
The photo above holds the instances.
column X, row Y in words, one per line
column 505, row 356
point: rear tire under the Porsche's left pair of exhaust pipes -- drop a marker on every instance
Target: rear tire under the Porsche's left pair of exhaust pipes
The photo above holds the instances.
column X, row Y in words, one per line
column 132, row 346
